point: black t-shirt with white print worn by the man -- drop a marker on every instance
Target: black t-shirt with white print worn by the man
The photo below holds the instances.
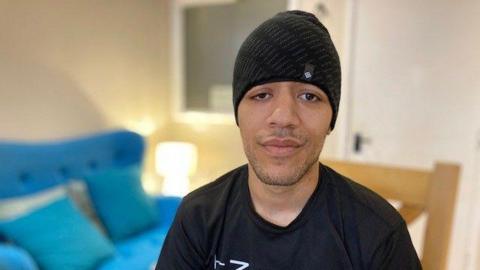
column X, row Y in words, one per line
column 342, row 226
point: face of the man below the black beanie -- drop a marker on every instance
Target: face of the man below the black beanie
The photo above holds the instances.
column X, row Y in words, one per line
column 283, row 127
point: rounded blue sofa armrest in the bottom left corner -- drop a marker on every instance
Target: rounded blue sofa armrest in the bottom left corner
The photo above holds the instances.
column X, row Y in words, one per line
column 15, row 258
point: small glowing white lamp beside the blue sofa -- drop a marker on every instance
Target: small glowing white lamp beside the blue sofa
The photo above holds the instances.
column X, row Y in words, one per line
column 175, row 161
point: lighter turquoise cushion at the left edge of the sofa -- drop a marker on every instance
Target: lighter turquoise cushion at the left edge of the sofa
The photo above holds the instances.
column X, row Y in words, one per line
column 58, row 236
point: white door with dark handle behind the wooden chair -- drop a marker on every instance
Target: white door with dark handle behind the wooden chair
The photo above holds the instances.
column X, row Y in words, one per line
column 414, row 93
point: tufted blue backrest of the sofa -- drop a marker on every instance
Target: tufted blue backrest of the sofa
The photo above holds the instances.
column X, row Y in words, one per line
column 26, row 168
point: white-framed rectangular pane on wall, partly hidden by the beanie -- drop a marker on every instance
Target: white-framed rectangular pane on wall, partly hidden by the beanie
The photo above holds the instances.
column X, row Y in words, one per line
column 207, row 37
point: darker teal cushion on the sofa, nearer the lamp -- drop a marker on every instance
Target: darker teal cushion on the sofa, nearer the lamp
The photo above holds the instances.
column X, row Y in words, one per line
column 121, row 202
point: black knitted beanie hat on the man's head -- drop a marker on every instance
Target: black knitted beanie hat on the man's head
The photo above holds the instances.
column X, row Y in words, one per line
column 291, row 46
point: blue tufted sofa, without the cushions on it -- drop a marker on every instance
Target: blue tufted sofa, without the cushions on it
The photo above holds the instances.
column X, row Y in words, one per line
column 29, row 168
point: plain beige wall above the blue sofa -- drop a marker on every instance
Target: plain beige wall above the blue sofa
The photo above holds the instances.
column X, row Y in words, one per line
column 73, row 67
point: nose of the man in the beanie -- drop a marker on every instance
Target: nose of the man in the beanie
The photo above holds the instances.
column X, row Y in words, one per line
column 284, row 112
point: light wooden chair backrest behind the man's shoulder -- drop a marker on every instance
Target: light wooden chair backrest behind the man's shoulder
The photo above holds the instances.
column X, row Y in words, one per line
column 431, row 191
